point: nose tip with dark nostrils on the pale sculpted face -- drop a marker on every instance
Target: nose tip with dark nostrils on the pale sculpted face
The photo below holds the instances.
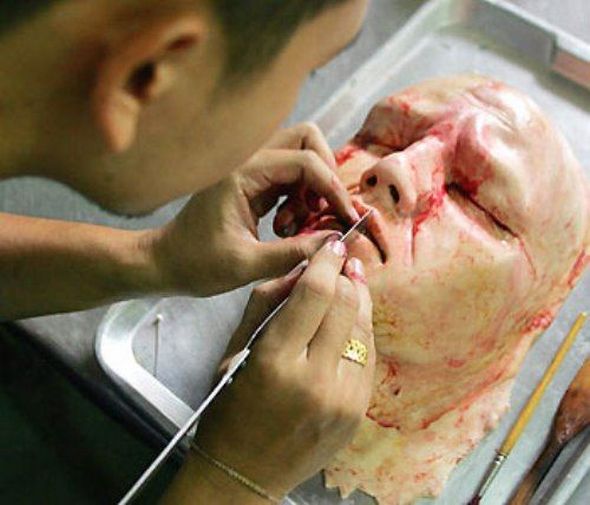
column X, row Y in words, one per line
column 392, row 184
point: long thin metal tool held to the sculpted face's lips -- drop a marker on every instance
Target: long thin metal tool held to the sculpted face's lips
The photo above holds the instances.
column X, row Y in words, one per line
column 237, row 362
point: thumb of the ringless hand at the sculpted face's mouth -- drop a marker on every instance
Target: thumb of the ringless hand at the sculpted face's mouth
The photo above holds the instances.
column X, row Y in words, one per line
column 276, row 258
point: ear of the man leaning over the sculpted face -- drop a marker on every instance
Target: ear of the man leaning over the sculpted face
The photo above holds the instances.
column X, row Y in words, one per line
column 137, row 69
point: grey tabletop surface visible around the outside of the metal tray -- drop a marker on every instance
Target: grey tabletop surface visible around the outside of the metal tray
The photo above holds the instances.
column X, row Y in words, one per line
column 70, row 338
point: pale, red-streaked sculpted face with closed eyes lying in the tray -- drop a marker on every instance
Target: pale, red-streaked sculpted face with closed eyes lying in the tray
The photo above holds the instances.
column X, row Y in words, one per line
column 481, row 227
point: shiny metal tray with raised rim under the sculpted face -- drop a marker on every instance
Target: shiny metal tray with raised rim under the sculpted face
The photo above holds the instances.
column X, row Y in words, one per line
column 444, row 37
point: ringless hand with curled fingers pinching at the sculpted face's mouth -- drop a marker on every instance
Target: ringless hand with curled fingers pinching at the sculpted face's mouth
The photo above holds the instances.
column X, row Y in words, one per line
column 213, row 245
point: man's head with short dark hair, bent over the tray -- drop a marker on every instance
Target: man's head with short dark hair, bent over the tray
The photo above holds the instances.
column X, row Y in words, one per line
column 136, row 103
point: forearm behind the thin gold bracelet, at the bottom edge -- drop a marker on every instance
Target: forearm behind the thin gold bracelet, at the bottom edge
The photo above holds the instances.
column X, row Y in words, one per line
column 199, row 482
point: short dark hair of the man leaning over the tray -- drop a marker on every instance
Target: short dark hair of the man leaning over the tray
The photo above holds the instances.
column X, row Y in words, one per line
column 256, row 30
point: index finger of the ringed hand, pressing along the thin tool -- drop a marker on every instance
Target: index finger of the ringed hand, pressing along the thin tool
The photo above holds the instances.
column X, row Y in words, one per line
column 295, row 326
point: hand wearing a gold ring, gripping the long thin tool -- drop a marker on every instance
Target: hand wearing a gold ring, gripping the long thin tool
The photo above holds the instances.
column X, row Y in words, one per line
column 297, row 402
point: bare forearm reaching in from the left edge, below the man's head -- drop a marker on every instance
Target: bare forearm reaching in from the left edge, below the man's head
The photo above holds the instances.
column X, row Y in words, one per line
column 48, row 267
